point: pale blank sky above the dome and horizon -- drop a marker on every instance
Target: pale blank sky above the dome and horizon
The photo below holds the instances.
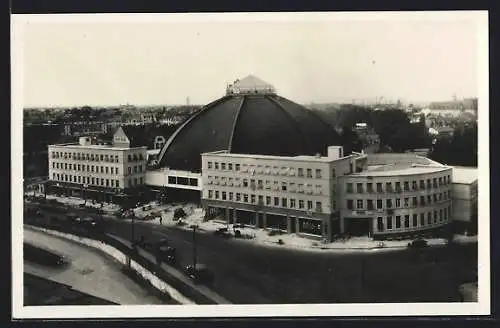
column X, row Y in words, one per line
column 108, row 60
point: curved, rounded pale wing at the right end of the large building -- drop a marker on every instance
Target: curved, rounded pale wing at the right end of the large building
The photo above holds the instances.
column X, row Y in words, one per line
column 396, row 194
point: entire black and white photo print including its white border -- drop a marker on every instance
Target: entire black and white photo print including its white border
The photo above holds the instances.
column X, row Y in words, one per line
column 250, row 165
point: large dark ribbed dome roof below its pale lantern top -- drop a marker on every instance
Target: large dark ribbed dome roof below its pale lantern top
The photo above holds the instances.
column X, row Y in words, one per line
column 264, row 124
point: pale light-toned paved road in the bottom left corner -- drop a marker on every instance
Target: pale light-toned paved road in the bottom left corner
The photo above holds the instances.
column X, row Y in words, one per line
column 89, row 272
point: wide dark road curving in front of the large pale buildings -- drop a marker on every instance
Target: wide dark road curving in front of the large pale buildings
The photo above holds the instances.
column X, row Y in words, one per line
column 248, row 273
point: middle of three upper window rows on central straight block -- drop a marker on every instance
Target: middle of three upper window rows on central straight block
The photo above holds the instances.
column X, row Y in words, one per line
column 266, row 184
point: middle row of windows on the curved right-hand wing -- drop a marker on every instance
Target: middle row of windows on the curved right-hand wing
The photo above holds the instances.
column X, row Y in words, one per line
column 369, row 204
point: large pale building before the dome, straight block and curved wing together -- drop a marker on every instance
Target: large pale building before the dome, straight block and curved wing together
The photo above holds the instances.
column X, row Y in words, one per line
column 376, row 195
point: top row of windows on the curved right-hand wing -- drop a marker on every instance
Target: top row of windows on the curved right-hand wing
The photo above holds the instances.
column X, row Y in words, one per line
column 423, row 184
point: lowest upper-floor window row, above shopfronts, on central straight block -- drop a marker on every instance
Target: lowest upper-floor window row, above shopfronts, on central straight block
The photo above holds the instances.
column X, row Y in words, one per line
column 267, row 200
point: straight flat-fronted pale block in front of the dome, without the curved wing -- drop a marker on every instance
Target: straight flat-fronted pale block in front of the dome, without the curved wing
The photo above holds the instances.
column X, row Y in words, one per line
column 295, row 194
